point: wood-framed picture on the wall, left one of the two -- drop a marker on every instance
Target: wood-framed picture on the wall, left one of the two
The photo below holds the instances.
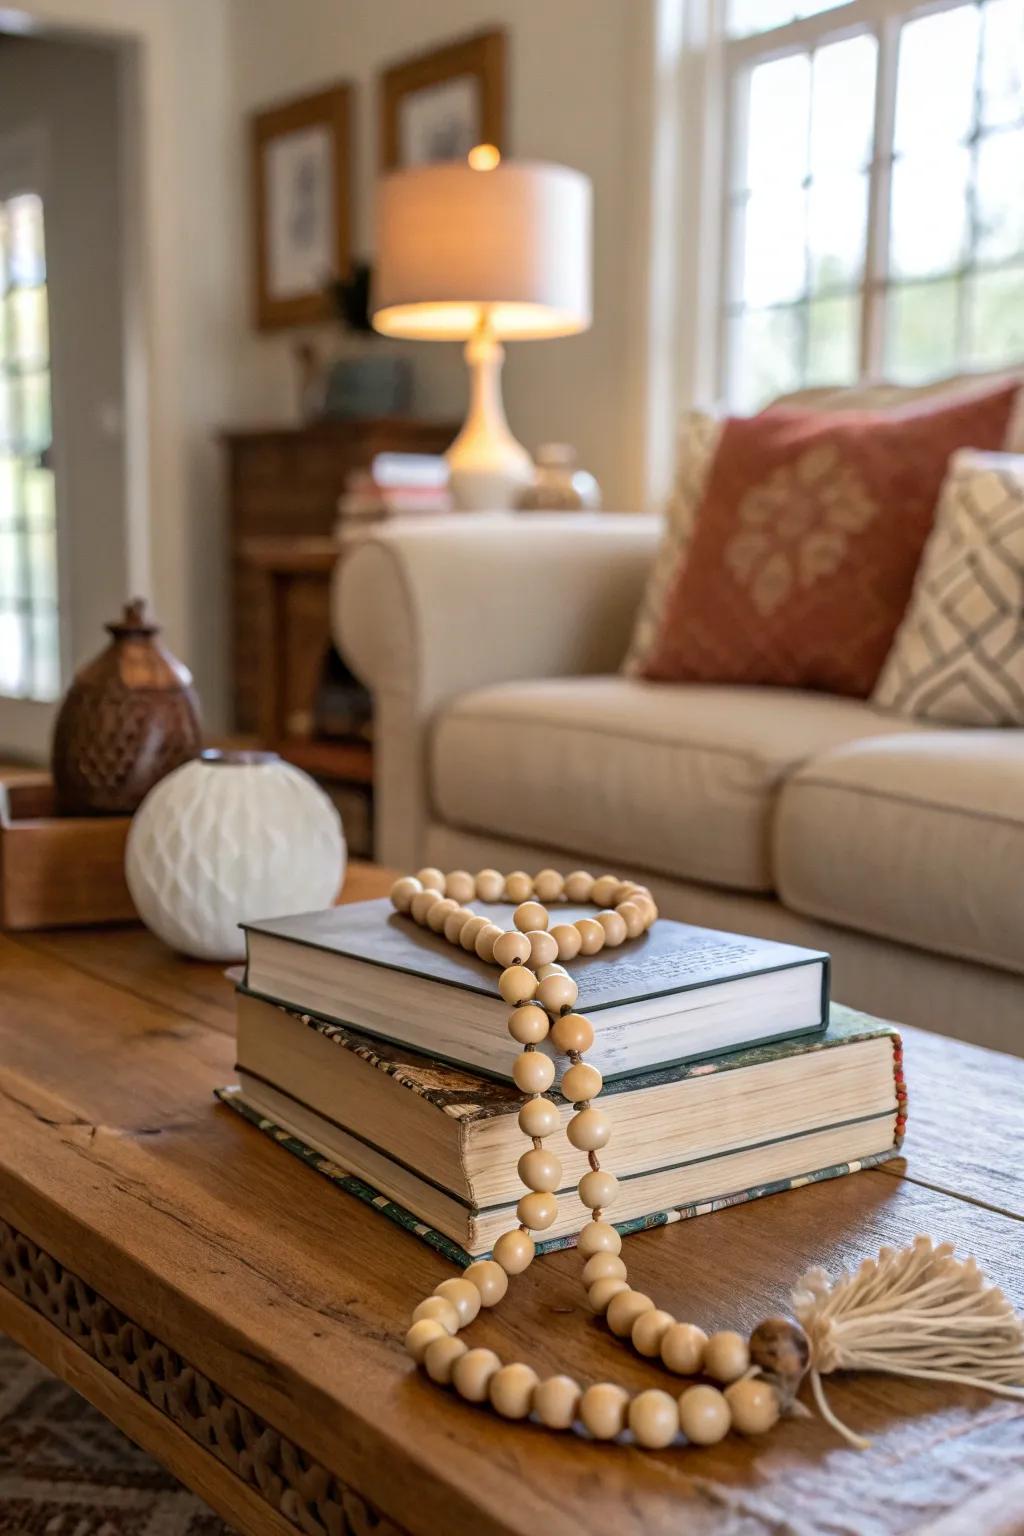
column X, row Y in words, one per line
column 302, row 194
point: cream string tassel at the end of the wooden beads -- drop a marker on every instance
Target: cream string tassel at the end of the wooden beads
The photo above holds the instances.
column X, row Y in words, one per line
column 914, row 1313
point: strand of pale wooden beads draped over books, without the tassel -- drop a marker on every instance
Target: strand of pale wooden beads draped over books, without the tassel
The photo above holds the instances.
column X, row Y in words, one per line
column 755, row 1382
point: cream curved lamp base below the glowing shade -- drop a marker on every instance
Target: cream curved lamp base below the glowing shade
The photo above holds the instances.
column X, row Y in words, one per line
column 489, row 469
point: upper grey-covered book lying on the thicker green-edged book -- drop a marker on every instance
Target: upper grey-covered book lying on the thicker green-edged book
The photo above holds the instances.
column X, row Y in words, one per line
column 672, row 996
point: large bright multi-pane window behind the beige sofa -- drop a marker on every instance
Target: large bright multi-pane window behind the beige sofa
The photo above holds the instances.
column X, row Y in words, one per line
column 874, row 220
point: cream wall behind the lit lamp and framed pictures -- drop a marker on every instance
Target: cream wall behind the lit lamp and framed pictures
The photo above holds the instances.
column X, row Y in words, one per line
column 570, row 74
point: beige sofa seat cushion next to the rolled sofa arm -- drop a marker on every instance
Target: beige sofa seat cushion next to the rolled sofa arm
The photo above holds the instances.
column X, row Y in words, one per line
column 676, row 780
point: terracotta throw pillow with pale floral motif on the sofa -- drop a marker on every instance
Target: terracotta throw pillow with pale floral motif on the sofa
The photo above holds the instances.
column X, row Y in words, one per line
column 808, row 540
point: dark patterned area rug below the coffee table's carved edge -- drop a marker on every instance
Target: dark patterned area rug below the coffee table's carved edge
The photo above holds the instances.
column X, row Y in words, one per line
column 67, row 1472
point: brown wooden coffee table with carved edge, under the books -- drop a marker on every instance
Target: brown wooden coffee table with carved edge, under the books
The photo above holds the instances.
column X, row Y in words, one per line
column 242, row 1319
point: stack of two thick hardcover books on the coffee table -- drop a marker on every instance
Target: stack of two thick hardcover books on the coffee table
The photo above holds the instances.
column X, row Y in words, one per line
column 380, row 1054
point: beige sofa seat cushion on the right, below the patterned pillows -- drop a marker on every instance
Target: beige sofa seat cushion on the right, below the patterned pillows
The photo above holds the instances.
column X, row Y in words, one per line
column 919, row 838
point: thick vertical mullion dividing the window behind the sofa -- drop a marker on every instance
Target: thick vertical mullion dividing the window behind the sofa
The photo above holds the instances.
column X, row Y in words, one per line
column 873, row 337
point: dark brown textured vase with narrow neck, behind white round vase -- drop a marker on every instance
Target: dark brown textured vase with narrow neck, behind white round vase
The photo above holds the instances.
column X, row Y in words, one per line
column 131, row 717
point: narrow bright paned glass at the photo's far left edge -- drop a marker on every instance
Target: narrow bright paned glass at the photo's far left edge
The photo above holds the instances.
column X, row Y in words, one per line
column 28, row 528
